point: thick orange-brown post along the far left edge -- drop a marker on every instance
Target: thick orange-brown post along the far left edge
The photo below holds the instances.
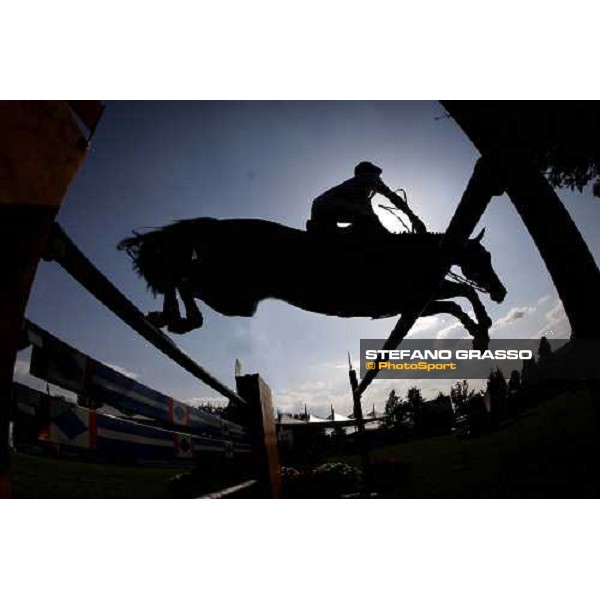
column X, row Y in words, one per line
column 41, row 149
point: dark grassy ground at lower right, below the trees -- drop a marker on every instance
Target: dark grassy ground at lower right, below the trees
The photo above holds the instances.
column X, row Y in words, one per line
column 548, row 453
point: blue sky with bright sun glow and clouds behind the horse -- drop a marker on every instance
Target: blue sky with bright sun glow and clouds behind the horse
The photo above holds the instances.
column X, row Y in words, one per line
column 155, row 162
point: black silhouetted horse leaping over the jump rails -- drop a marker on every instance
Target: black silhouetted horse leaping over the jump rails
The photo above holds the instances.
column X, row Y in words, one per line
column 233, row 264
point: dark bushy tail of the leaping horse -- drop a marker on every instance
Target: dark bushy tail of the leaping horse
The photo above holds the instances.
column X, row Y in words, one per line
column 150, row 255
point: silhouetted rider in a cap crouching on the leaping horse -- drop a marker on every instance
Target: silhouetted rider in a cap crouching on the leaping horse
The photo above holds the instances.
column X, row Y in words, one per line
column 350, row 201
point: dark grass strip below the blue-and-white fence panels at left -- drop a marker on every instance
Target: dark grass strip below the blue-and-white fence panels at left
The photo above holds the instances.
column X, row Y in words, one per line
column 45, row 477
